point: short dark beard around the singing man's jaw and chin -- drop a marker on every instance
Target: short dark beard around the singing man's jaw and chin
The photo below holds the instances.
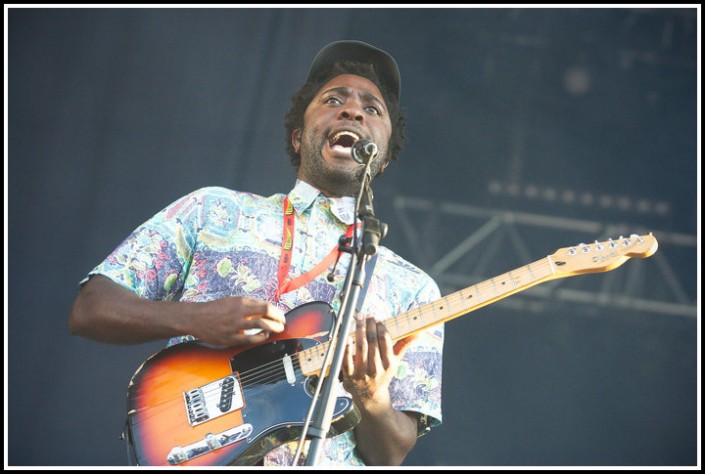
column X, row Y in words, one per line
column 343, row 179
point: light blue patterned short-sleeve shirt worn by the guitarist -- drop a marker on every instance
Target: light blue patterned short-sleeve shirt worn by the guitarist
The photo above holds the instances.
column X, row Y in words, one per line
column 216, row 242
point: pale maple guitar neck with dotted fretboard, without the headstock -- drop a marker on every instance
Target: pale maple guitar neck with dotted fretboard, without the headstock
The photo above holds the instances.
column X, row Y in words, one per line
column 450, row 307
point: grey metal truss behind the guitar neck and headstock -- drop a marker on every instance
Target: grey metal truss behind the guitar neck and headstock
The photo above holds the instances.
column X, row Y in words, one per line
column 461, row 245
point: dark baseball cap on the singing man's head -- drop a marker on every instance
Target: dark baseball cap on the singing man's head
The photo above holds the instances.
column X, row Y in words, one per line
column 358, row 51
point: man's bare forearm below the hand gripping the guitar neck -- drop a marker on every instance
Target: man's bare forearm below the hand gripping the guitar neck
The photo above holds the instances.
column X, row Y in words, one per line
column 384, row 435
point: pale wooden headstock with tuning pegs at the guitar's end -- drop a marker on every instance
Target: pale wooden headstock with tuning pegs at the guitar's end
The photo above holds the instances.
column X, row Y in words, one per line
column 602, row 256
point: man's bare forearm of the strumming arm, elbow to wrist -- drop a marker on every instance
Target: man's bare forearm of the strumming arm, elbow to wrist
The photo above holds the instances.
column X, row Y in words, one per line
column 106, row 312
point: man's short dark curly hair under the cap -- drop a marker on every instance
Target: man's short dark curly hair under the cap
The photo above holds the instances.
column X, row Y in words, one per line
column 295, row 116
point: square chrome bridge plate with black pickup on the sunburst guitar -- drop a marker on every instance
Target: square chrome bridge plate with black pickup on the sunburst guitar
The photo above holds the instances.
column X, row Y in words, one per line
column 214, row 399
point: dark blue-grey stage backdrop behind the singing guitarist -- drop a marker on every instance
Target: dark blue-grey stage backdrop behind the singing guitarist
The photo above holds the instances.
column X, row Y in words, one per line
column 529, row 130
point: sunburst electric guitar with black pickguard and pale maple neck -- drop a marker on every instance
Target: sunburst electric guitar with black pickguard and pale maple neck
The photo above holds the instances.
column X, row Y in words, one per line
column 192, row 404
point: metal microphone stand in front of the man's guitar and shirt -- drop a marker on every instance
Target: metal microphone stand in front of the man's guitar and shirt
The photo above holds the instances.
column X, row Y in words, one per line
column 372, row 231
